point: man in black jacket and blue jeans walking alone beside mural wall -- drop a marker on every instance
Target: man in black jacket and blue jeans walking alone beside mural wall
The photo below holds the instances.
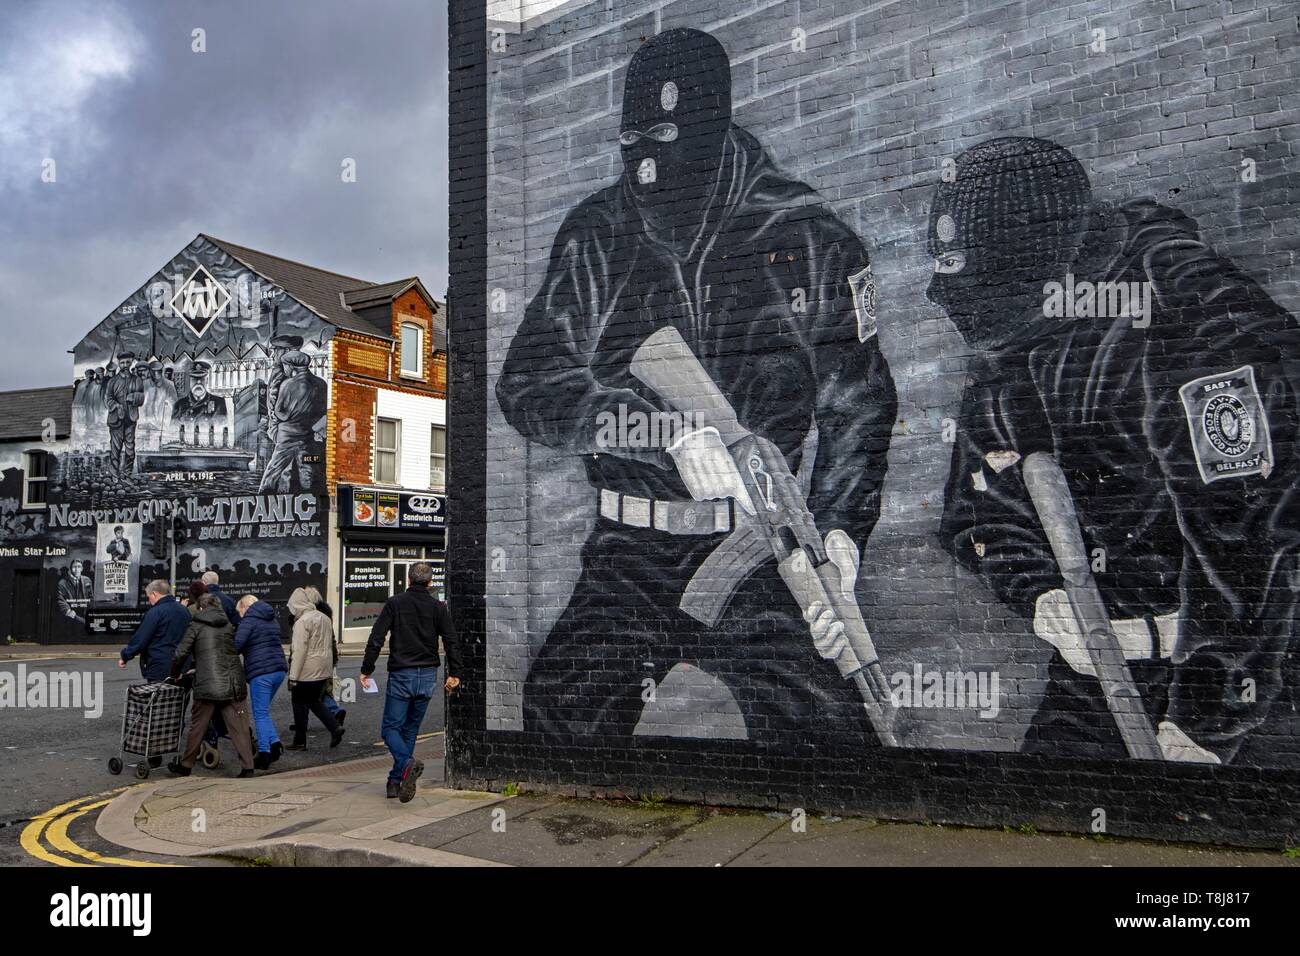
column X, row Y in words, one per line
column 417, row 620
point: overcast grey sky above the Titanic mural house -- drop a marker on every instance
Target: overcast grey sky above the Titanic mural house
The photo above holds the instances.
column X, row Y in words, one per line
column 154, row 144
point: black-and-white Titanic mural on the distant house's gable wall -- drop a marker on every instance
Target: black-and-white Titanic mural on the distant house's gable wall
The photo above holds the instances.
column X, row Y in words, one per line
column 202, row 397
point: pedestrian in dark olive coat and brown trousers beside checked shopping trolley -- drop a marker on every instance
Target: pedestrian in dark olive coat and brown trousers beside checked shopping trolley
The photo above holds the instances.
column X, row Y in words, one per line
column 219, row 685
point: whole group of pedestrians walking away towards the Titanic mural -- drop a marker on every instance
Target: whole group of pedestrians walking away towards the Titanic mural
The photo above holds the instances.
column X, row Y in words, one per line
column 233, row 652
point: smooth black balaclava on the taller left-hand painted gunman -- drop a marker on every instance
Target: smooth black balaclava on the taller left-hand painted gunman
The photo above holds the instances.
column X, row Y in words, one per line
column 677, row 113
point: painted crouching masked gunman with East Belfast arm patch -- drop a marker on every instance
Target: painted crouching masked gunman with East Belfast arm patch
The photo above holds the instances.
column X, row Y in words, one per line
column 1125, row 473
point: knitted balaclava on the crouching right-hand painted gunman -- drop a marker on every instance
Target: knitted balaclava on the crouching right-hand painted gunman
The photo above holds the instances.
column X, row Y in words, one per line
column 1016, row 211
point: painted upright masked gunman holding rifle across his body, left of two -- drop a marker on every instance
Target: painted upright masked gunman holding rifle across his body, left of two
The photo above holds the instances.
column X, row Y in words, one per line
column 709, row 292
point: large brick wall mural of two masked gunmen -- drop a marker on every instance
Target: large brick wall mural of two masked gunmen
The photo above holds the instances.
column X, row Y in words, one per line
column 882, row 396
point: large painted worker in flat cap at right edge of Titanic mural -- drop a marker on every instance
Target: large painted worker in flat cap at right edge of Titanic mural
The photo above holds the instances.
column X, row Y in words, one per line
column 302, row 400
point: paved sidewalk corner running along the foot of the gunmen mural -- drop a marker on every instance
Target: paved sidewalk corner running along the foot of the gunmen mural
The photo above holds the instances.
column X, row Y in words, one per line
column 339, row 816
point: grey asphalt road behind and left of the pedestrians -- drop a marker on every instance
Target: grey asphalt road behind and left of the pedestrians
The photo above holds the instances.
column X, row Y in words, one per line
column 50, row 756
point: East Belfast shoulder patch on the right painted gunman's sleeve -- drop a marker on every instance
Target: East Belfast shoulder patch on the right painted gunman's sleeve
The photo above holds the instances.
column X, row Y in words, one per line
column 1229, row 427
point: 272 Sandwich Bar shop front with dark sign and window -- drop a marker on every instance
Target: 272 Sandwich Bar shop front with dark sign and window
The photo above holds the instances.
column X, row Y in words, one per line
column 382, row 533
